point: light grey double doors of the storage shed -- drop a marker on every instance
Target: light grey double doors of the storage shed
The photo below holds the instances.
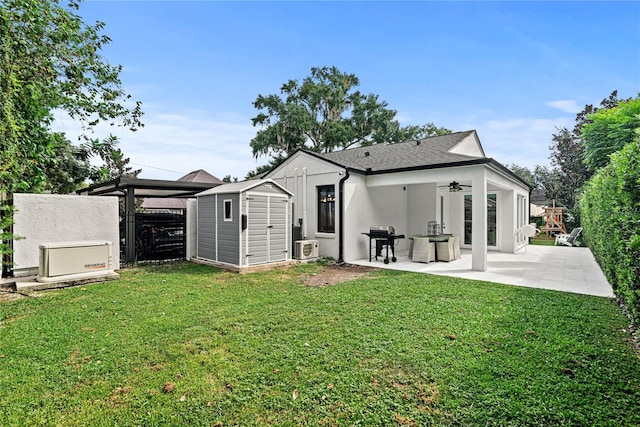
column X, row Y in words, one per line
column 266, row 237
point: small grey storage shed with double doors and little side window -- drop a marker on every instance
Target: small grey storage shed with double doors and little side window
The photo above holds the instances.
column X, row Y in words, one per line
column 244, row 224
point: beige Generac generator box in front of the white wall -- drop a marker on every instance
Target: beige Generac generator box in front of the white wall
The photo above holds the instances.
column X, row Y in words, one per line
column 69, row 261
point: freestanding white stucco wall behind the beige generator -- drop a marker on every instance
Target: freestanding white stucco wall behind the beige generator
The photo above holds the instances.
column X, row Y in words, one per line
column 49, row 218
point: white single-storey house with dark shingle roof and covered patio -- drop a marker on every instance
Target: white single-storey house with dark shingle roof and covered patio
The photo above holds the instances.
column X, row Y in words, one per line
column 447, row 179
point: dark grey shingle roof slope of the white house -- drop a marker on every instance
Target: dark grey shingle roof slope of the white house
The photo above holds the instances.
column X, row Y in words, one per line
column 404, row 155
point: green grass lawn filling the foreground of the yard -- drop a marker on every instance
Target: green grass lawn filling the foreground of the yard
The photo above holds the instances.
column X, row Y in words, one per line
column 192, row 345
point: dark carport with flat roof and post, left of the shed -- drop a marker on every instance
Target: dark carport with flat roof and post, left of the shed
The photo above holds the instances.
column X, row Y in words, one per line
column 130, row 188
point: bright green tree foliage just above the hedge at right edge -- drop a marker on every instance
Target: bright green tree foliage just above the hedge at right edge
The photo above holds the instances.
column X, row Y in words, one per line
column 609, row 131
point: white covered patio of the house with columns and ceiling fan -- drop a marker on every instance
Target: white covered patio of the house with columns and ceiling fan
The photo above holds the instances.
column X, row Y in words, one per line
column 478, row 202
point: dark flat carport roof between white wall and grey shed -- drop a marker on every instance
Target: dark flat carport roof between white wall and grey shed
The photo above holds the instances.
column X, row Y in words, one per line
column 146, row 188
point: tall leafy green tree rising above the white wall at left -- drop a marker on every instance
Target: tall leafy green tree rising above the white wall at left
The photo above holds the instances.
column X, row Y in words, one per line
column 50, row 59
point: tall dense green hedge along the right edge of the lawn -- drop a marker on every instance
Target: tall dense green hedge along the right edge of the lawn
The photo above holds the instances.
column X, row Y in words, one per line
column 610, row 210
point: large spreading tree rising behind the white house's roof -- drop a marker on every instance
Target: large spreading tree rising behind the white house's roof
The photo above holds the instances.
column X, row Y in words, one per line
column 324, row 113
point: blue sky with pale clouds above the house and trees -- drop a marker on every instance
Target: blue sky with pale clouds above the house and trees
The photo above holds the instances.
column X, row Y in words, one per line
column 514, row 71
